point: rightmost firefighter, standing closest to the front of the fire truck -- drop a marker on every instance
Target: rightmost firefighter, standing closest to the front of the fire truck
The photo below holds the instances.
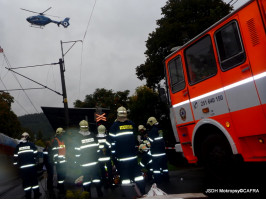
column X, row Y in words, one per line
column 159, row 160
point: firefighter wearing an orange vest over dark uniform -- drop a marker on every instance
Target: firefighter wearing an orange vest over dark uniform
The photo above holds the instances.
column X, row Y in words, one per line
column 59, row 157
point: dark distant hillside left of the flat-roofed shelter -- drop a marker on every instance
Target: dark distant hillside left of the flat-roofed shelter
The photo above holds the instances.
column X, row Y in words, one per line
column 37, row 123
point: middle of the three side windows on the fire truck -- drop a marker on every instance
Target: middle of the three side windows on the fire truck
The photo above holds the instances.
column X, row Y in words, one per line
column 200, row 60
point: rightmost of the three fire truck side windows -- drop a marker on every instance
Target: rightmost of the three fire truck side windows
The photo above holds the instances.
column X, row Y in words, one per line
column 229, row 45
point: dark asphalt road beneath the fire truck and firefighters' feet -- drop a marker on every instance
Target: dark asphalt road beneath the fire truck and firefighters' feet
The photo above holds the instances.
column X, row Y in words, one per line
column 250, row 183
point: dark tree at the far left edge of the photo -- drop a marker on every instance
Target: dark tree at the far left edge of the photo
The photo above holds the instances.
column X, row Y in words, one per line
column 9, row 123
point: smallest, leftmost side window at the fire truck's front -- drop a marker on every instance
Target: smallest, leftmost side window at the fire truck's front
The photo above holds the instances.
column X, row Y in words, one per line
column 176, row 75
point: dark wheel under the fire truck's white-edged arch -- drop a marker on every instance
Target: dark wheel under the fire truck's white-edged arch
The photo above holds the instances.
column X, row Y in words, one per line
column 216, row 155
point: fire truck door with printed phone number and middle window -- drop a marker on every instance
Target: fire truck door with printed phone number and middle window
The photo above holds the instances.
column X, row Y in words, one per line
column 206, row 94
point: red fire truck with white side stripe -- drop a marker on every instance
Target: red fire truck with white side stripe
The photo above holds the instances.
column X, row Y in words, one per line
column 217, row 89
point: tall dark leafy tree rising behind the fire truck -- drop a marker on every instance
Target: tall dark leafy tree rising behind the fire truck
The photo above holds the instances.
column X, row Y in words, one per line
column 182, row 20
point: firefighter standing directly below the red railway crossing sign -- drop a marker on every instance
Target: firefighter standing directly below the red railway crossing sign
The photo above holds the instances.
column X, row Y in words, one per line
column 104, row 156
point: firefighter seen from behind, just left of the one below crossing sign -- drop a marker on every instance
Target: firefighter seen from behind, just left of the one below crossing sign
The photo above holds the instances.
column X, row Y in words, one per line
column 87, row 158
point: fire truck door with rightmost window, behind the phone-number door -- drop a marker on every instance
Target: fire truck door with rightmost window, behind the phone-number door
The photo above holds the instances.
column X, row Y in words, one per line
column 238, row 81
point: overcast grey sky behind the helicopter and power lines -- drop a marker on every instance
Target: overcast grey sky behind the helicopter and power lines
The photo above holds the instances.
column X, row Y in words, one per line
column 113, row 47
